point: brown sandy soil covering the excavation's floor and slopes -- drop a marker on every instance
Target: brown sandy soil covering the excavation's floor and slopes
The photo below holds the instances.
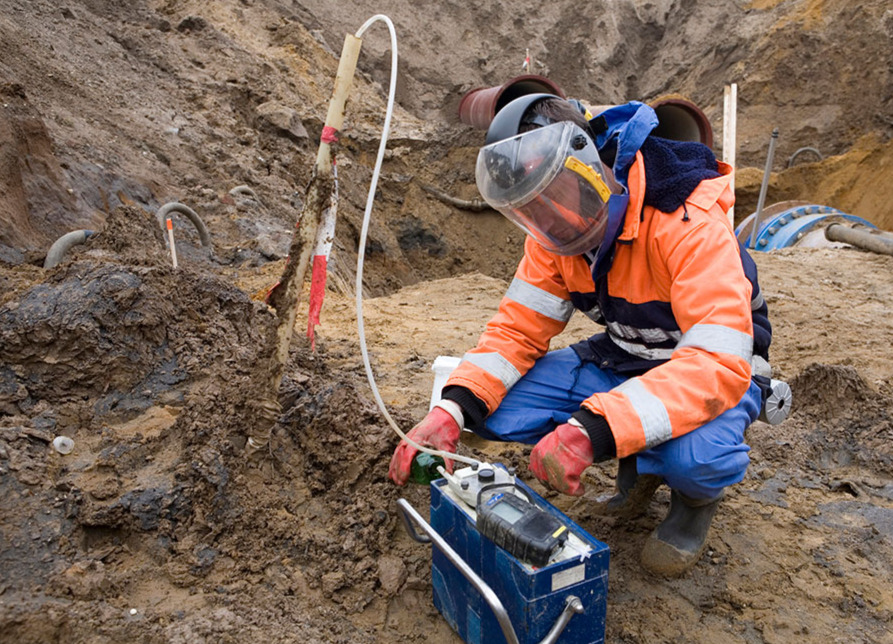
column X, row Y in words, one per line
column 155, row 528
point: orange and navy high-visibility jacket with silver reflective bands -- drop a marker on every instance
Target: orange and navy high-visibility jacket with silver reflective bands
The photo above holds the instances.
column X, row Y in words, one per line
column 686, row 265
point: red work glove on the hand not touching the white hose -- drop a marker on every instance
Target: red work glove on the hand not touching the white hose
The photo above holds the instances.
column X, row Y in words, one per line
column 559, row 458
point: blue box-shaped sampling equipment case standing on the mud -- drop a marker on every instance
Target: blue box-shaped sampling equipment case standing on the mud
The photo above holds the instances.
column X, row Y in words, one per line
column 534, row 599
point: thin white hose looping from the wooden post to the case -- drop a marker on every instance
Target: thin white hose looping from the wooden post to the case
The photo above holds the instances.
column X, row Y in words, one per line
column 361, row 252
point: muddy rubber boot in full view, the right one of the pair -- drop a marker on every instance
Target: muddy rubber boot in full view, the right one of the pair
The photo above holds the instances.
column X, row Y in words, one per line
column 679, row 541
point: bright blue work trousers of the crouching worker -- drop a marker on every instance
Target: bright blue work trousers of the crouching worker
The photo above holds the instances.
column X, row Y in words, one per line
column 698, row 464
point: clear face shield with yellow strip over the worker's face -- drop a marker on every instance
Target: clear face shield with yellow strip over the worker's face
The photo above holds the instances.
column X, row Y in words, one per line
column 551, row 183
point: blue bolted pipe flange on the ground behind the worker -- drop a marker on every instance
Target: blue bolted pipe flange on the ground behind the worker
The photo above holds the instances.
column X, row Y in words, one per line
column 788, row 227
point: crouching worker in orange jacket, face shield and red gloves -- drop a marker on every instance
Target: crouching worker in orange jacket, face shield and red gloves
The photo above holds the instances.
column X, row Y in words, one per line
column 633, row 231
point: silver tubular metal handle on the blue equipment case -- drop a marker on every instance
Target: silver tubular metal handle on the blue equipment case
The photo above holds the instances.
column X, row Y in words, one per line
column 411, row 519
